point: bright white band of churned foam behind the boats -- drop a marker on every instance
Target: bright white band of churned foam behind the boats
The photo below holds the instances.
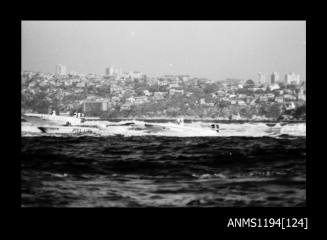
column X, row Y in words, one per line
column 197, row 129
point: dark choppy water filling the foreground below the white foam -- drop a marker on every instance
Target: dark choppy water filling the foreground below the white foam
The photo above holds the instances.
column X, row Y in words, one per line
column 163, row 171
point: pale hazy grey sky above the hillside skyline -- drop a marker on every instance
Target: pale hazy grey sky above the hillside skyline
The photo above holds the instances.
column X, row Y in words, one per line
column 212, row 49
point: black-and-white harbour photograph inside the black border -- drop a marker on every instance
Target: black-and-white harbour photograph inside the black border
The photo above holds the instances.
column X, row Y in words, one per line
column 163, row 114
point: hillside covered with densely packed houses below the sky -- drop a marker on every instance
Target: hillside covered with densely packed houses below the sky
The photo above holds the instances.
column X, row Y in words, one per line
column 103, row 93
